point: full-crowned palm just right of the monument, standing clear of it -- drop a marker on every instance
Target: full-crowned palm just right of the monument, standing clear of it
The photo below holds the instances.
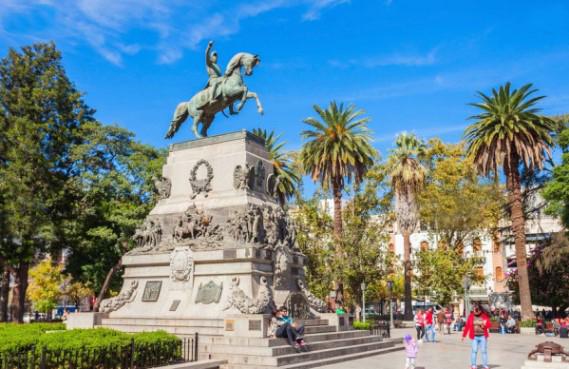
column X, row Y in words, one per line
column 338, row 149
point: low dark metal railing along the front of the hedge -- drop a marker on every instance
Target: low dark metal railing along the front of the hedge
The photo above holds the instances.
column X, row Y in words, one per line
column 131, row 357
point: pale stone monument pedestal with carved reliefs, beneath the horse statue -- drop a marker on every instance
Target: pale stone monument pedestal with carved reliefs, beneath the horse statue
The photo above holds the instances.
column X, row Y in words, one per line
column 216, row 244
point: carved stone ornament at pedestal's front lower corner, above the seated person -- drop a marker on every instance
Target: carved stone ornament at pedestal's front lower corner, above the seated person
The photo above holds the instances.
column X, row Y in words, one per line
column 245, row 304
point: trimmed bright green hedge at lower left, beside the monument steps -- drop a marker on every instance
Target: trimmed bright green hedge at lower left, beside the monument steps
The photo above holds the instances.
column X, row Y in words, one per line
column 84, row 348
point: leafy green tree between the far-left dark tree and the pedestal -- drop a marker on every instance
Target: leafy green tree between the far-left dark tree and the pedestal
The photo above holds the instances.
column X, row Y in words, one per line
column 113, row 186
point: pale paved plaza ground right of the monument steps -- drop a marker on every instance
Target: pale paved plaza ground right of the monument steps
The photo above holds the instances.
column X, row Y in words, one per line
column 504, row 351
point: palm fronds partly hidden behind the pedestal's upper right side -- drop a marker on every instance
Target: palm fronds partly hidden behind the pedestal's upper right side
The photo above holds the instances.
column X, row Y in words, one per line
column 287, row 178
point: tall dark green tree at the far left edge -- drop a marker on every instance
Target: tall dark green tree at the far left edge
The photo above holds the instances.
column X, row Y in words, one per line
column 40, row 113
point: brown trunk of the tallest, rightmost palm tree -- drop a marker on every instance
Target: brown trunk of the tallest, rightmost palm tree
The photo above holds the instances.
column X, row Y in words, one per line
column 518, row 227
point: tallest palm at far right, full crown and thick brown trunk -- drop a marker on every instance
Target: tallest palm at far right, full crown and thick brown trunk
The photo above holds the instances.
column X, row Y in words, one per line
column 509, row 133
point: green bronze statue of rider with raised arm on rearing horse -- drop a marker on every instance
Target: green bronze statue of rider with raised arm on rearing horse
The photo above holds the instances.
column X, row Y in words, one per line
column 221, row 92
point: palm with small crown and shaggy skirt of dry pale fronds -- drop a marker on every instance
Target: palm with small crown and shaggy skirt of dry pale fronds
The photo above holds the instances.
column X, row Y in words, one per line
column 407, row 177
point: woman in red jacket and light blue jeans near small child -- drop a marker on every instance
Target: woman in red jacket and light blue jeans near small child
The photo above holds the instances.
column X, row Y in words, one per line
column 477, row 326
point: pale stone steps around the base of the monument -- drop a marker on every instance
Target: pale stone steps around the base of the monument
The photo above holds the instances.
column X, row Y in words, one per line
column 326, row 344
